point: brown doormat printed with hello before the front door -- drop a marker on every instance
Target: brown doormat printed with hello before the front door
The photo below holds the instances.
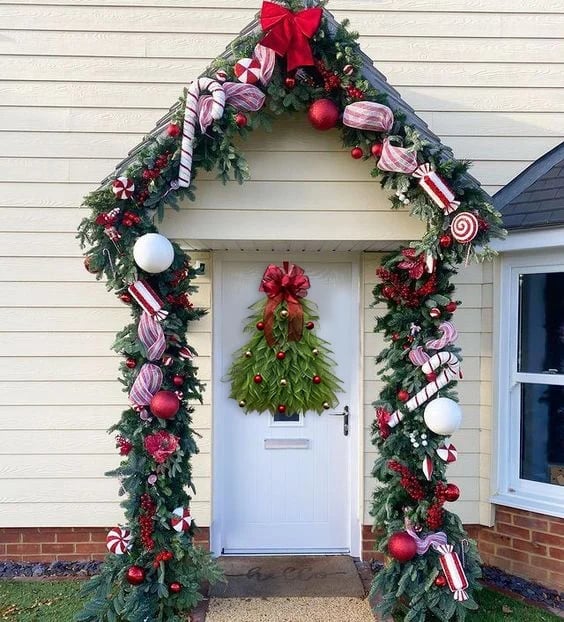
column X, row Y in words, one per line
column 270, row 577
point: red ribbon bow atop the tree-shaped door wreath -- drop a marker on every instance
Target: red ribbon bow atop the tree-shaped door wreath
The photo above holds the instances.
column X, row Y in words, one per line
column 284, row 284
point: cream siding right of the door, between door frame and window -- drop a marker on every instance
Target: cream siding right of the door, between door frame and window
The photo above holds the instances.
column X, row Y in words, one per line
column 473, row 319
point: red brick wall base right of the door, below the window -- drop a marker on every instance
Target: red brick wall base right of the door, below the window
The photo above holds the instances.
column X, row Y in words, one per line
column 522, row 543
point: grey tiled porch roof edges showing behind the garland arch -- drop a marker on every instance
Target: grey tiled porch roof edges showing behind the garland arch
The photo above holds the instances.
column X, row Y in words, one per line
column 369, row 73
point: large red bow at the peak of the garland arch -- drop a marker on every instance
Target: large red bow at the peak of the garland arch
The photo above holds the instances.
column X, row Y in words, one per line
column 287, row 33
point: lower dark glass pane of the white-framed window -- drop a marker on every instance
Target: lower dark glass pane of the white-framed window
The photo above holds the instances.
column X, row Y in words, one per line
column 542, row 433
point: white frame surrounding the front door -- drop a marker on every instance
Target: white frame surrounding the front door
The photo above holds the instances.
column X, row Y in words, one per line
column 356, row 453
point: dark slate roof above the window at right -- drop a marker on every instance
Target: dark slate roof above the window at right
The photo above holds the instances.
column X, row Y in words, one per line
column 535, row 198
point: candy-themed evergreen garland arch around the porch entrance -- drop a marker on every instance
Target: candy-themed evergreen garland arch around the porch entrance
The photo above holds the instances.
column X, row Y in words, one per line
column 298, row 62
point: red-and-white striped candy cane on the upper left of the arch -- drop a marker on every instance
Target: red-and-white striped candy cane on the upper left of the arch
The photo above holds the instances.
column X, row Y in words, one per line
column 190, row 118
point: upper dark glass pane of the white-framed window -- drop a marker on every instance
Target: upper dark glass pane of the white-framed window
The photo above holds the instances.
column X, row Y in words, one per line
column 541, row 323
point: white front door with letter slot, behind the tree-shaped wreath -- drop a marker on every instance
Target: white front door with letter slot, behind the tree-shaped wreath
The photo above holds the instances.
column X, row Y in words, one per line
column 285, row 486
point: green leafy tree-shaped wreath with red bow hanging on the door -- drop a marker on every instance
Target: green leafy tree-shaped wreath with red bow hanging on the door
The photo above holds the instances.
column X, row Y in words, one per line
column 284, row 369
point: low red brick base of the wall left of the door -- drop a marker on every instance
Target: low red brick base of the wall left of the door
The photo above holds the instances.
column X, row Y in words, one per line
column 40, row 544
